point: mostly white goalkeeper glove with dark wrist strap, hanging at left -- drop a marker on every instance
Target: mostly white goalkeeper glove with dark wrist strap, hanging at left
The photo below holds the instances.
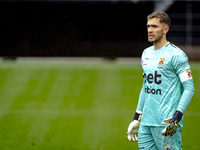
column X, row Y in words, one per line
column 134, row 127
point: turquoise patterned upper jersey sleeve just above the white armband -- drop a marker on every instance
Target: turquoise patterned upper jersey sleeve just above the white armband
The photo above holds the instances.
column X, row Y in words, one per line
column 180, row 62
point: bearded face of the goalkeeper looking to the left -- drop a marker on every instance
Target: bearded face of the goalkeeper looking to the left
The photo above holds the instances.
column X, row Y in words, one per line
column 155, row 30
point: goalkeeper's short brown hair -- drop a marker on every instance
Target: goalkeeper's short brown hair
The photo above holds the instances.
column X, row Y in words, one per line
column 164, row 18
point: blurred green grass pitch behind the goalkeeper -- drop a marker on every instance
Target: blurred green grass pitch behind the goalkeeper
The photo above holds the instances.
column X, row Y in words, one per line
column 77, row 106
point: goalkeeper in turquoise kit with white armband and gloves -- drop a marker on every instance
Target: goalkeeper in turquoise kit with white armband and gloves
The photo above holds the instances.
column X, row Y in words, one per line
column 166, row 92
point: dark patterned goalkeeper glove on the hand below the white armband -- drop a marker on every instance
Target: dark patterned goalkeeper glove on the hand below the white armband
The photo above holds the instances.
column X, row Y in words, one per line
column 170, row 130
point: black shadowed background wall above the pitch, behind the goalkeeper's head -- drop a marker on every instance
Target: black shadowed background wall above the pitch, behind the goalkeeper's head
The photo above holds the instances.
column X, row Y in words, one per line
column 84, row 28
